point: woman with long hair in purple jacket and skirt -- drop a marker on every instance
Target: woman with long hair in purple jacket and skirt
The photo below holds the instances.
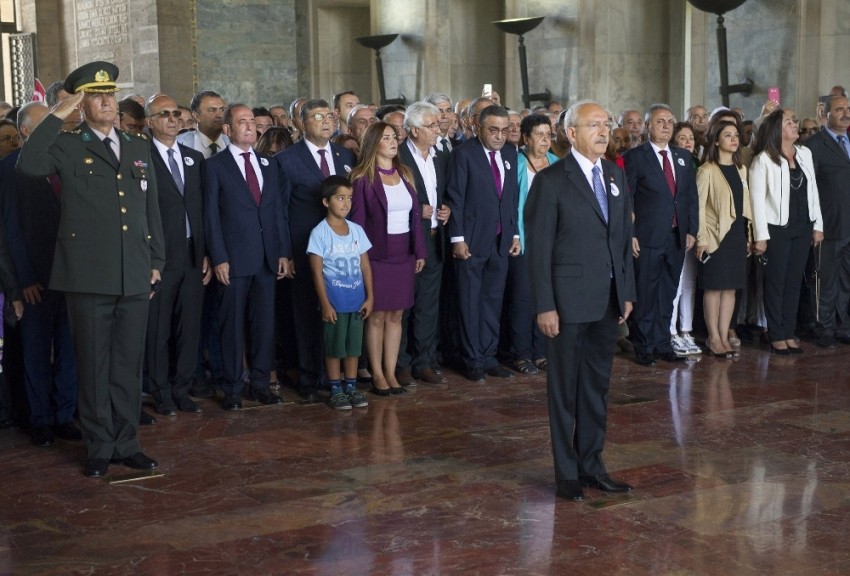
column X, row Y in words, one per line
column 385, row 205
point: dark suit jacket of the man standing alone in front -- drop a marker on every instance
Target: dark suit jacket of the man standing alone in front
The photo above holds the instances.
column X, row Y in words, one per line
column 571, row 252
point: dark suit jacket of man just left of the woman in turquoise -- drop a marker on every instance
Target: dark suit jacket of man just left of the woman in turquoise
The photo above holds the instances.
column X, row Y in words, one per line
column 472, row 196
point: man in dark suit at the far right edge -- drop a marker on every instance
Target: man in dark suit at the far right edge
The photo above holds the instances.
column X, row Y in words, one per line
column 831, row 156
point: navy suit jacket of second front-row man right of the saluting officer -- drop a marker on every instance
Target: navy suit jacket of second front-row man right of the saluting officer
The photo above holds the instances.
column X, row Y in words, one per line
column 238, row 231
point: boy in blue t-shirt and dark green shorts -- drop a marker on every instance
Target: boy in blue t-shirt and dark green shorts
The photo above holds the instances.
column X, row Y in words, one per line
column 343, row 280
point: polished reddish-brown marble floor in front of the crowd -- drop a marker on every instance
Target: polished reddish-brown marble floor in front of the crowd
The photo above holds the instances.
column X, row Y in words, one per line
column 740, row 468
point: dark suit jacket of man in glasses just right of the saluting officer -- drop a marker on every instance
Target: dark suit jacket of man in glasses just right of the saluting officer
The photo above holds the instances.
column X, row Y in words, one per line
column 174, row 206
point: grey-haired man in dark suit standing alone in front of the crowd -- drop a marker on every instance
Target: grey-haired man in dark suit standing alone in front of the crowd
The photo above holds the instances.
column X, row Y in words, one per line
column 578, row 224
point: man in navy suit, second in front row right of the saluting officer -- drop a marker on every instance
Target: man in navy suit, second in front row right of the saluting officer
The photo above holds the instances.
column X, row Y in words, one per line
column 247, row 234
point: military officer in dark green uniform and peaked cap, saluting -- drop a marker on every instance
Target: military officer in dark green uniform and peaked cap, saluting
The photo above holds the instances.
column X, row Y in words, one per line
column 109, row 254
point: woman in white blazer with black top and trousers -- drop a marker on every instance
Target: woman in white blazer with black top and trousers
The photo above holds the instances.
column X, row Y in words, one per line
column 786, row 221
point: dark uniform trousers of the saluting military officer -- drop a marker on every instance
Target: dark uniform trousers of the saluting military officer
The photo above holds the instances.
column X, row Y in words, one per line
column 109, row 341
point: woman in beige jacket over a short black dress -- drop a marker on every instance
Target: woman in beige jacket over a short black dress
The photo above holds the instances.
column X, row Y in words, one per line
column 722, row 243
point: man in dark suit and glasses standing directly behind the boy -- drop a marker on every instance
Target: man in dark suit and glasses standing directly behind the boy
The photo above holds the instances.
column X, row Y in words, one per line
column 306, row 165
